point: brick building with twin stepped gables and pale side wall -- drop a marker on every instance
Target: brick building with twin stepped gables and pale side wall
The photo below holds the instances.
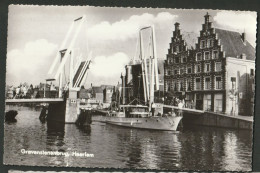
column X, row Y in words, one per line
column 216, row 75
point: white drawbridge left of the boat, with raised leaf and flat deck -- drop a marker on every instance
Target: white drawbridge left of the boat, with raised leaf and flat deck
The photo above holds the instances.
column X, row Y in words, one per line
column 66, row 58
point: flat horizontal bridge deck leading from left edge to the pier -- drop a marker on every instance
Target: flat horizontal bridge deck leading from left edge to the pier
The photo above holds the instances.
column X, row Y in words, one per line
column 34, row 100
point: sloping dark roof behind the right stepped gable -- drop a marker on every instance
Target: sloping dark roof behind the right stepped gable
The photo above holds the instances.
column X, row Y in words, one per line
column 233, row 44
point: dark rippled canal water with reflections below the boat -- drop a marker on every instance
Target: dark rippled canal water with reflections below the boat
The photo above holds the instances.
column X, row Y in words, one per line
column 192, row 148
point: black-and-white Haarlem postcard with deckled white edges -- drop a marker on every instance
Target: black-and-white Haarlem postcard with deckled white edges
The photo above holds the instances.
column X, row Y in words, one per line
column 134, row 88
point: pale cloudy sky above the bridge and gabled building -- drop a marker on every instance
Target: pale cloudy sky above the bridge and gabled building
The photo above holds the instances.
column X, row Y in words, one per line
column 110, row 35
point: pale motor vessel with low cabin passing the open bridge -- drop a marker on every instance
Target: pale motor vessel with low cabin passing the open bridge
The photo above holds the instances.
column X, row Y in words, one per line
column 130, row 117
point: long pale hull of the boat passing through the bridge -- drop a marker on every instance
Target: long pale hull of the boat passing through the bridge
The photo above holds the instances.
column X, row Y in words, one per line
column 169, row 123
